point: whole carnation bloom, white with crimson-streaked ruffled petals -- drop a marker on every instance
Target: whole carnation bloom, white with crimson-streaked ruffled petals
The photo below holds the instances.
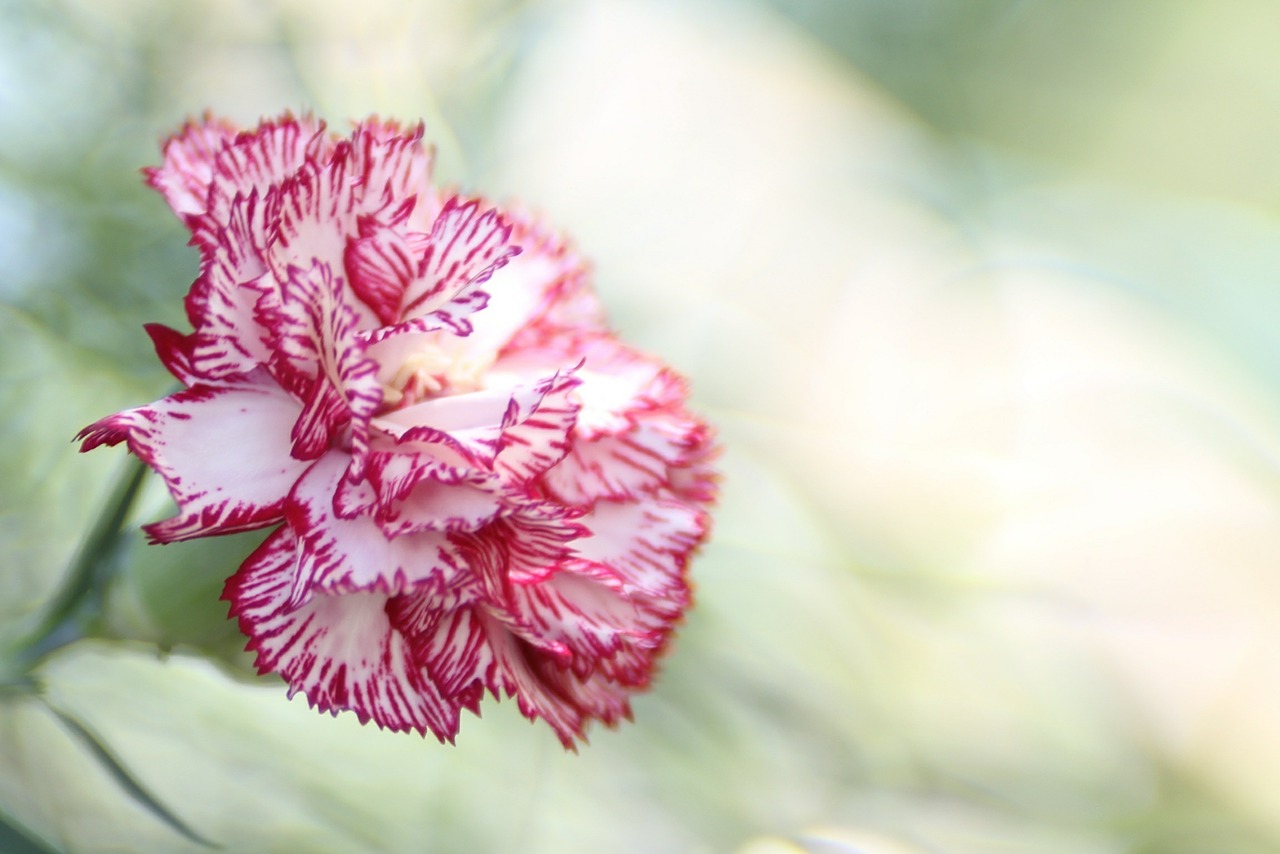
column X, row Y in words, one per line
column 476, row 486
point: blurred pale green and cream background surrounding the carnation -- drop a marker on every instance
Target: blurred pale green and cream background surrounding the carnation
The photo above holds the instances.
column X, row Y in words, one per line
column 982, row 295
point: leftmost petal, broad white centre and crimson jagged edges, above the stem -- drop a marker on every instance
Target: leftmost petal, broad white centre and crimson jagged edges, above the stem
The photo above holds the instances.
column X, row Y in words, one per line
column 223, row 453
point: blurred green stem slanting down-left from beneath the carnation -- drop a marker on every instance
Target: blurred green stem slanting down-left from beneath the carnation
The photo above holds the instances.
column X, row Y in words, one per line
column 83, row 588
